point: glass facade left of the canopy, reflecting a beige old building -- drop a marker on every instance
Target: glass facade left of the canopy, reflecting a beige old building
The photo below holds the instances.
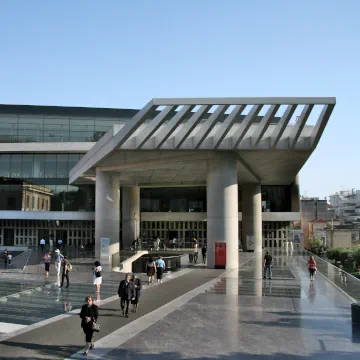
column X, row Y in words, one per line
column 43, row 178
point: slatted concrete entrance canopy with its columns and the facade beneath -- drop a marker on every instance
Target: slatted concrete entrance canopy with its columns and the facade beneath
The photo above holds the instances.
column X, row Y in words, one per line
column 246, row 159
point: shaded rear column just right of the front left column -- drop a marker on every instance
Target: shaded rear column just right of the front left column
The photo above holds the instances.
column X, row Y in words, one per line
column 130, row 213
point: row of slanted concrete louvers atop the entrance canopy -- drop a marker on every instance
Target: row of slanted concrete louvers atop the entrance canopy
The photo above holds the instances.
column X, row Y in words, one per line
column 187, row 124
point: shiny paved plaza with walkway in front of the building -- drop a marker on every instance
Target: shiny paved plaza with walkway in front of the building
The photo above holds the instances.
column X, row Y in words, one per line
column 196, row 314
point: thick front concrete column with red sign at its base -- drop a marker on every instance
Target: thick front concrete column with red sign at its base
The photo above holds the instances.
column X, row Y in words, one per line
column 222, row 208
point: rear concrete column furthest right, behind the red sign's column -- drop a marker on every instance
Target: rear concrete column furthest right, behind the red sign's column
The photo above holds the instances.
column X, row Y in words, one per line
column 252, row 215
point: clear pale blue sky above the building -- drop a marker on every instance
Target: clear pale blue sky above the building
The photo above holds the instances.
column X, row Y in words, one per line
column 120, row 54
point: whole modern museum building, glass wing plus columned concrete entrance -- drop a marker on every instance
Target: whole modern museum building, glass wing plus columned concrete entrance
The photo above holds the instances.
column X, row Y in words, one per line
column 211, row 169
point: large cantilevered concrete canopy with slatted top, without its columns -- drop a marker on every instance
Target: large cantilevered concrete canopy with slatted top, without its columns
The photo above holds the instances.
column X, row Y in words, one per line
column 170, row 140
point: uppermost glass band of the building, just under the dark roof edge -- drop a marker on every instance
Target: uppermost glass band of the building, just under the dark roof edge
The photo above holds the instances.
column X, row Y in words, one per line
column 37, row 128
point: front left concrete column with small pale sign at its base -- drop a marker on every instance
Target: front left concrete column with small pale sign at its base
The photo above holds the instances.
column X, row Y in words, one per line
column 107, row 214
